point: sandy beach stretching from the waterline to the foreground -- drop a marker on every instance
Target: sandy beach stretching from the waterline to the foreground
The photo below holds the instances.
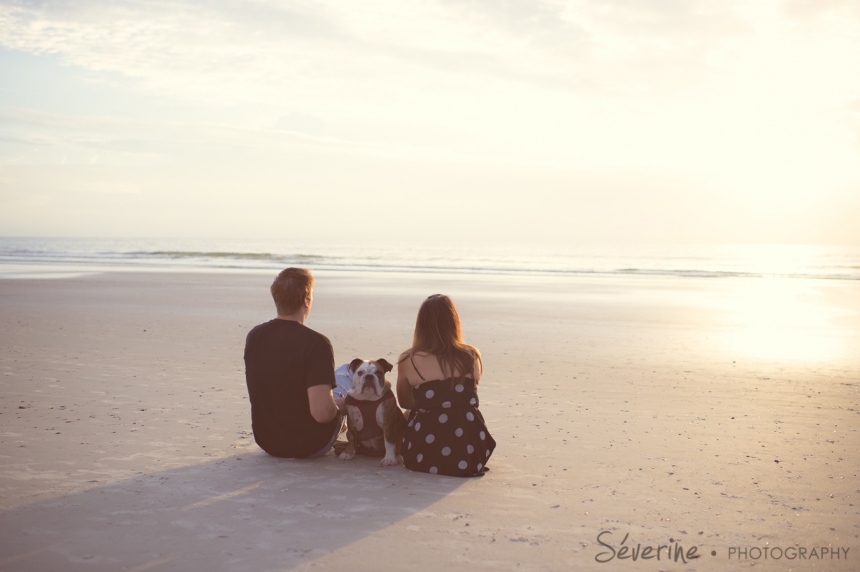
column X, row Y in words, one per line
column 648, row 407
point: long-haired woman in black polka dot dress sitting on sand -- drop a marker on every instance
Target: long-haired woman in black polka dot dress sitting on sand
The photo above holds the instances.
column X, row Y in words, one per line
column 437, row 379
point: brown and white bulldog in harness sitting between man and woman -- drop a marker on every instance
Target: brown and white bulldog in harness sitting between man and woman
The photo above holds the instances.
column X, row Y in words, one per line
column 375, row 423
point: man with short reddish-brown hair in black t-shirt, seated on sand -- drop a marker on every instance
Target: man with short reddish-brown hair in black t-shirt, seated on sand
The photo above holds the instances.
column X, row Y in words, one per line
column 289, row 369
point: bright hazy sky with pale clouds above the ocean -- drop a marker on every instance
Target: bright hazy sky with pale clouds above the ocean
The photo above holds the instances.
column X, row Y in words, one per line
column 572, row 122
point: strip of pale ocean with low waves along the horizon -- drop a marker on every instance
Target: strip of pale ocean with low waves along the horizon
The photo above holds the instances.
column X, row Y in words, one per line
column 63, row 257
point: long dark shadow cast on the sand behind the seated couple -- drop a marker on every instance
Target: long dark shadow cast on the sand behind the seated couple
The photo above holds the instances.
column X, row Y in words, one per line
column 255, row 512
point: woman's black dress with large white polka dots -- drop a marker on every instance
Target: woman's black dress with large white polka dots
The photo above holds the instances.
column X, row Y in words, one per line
column 446, row 434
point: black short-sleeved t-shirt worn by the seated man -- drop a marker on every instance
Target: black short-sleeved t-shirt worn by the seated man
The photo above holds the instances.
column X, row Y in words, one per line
column 283, row 359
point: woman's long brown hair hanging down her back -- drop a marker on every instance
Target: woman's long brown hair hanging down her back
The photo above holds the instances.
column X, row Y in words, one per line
column 437, row 332
